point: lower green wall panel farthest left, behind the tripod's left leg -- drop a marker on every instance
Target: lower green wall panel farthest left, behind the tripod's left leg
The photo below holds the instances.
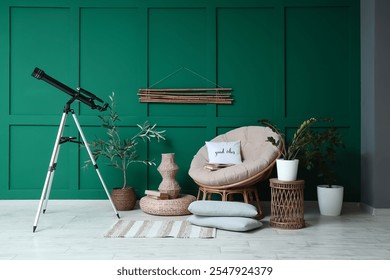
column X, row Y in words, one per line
column 30, row 151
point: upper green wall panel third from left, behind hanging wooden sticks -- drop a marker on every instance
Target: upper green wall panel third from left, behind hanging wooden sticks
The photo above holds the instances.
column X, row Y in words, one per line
column 181, row 58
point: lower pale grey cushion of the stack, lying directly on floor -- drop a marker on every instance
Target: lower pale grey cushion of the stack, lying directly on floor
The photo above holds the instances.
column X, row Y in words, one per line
column 226, row 223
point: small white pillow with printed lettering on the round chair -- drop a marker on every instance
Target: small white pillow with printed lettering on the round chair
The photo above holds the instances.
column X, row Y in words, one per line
column 224, row 152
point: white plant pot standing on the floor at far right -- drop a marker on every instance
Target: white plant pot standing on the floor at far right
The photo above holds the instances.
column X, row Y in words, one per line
column 330, row 200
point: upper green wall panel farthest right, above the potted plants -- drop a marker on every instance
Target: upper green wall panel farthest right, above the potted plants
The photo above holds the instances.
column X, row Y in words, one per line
column 317, row 61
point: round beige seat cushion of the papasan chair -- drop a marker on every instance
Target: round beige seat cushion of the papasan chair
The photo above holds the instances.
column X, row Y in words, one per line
column 256, row 153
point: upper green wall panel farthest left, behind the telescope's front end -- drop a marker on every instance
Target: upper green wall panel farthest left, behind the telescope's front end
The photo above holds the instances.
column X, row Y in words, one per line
column 40, row 37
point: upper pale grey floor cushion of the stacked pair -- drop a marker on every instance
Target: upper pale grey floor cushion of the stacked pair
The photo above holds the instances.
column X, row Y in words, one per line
column 222, row 209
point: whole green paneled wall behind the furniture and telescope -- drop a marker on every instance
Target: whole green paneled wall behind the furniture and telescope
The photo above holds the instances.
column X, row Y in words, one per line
column 285, row 60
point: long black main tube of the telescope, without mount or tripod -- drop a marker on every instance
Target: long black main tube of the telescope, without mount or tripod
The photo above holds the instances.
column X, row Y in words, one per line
column 41, row 75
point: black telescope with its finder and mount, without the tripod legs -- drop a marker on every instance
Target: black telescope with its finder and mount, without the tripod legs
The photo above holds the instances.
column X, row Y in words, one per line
column 82, row 95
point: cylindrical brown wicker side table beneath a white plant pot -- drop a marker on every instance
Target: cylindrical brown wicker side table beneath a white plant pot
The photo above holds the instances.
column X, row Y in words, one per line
column 287, row 204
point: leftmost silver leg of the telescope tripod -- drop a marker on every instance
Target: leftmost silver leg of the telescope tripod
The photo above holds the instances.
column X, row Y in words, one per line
column 50, row 172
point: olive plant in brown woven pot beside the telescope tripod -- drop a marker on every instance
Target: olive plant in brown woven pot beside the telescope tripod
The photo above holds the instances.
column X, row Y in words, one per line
column 122, row 152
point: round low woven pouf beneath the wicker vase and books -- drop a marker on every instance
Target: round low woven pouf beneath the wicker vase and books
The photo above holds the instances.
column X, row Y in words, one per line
column 167, row 207
